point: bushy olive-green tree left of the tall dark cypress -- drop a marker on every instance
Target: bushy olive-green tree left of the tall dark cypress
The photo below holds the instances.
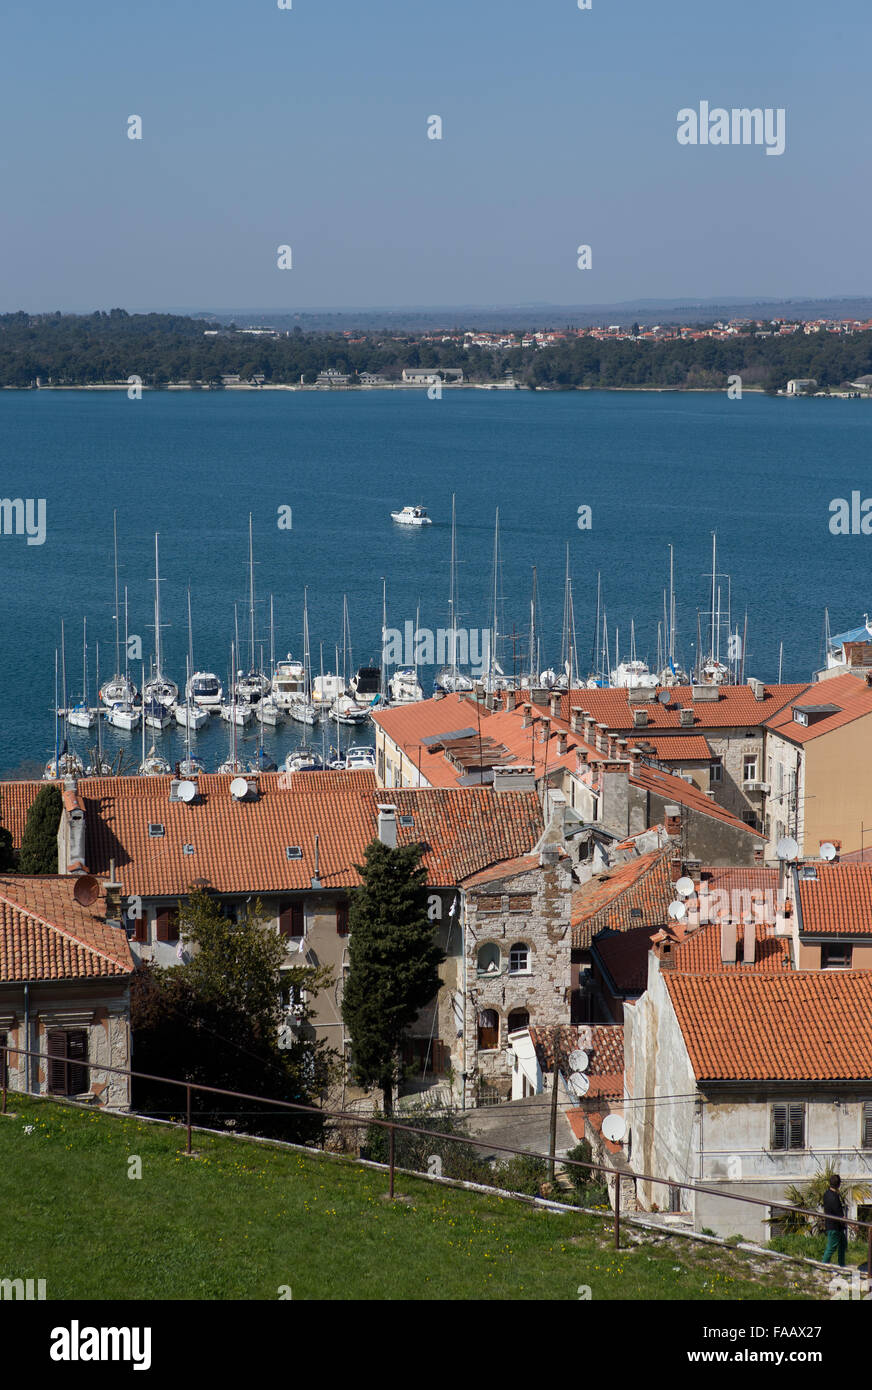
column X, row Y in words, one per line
column 216, row 1021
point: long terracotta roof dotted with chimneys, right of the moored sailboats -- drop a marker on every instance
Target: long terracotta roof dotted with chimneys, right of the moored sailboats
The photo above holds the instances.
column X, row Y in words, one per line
column 735, row 708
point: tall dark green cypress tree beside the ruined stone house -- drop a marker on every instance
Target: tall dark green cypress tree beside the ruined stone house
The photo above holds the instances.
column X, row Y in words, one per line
column 393, row 963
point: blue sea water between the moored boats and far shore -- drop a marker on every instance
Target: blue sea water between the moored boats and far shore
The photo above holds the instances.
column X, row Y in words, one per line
column 654, row 468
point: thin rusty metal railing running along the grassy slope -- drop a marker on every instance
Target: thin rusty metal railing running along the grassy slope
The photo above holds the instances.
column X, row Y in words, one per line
column 393, row 1127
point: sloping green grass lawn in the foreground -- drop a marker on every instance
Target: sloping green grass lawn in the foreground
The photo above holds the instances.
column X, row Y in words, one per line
column 241, row 1221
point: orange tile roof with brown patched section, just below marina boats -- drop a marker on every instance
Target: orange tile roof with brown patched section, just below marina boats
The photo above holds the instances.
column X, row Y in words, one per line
column 504, row 739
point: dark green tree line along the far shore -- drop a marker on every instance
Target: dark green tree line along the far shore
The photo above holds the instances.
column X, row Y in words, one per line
column 105, row 348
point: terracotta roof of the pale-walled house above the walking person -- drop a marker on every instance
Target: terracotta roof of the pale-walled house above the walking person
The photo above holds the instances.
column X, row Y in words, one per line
column 800, row 1027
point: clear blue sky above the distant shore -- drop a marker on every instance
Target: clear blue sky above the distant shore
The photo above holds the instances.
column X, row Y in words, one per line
column 309, row 127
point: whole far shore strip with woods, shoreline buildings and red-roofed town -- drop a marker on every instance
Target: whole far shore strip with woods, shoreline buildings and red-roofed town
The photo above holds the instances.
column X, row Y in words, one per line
column 170, row 351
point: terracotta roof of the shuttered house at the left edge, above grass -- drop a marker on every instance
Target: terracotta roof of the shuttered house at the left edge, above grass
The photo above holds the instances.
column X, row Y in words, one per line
column 45, row 935
